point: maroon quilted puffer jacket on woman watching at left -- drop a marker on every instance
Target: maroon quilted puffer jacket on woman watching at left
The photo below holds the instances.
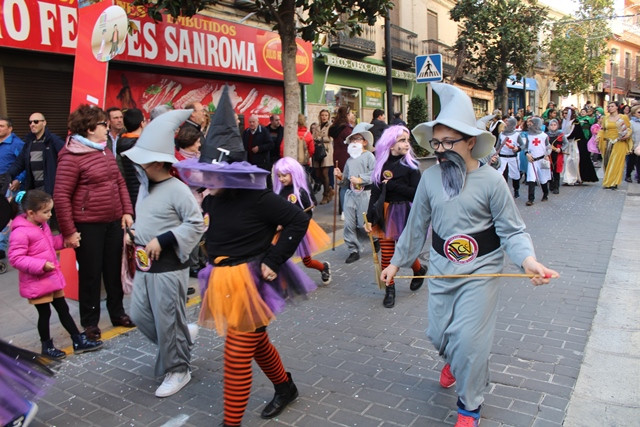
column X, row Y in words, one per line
column 89, row 187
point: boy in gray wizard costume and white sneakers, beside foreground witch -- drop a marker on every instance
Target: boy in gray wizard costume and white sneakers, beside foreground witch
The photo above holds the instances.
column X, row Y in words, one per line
column 168, row 226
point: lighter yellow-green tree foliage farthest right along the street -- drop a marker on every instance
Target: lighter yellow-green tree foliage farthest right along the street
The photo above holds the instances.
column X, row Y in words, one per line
column 578, row 50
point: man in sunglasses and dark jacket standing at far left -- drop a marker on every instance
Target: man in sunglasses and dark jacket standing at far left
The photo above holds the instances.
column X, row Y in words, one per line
column 39, row 157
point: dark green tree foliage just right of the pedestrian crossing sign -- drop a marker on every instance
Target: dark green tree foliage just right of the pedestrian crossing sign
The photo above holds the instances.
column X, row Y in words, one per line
column 499, row 37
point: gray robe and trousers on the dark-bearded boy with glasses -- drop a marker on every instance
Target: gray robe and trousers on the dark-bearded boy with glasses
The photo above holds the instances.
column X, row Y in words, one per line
column 462, row 312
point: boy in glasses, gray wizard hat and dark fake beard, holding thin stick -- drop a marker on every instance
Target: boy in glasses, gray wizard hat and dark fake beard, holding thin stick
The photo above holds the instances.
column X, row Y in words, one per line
column 474, row 219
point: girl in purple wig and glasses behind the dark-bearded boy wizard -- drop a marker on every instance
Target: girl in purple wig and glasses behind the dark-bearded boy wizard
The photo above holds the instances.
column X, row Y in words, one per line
column 395, row 179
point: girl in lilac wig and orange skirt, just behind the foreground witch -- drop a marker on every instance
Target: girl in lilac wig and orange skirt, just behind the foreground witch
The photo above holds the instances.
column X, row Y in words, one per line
column 290, row 182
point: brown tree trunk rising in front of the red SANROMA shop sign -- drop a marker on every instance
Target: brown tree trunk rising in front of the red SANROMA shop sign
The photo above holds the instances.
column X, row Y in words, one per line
column 291, row 86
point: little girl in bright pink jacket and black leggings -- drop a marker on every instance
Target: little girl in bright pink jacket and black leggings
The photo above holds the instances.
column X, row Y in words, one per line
column 32, row 251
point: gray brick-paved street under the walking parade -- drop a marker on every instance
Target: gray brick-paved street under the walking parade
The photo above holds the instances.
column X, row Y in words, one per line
column 359, row 364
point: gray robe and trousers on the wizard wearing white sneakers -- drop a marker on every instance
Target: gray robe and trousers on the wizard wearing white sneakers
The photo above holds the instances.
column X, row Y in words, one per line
column 158, row 304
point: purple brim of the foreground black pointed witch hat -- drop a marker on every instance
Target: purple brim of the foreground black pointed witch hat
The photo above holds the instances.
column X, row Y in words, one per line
column 222, row 175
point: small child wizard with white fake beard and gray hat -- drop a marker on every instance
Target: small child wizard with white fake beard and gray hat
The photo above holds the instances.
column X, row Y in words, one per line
column 357, row 179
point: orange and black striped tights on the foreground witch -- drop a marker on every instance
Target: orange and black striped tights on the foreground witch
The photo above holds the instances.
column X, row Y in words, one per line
column 239, row 349
